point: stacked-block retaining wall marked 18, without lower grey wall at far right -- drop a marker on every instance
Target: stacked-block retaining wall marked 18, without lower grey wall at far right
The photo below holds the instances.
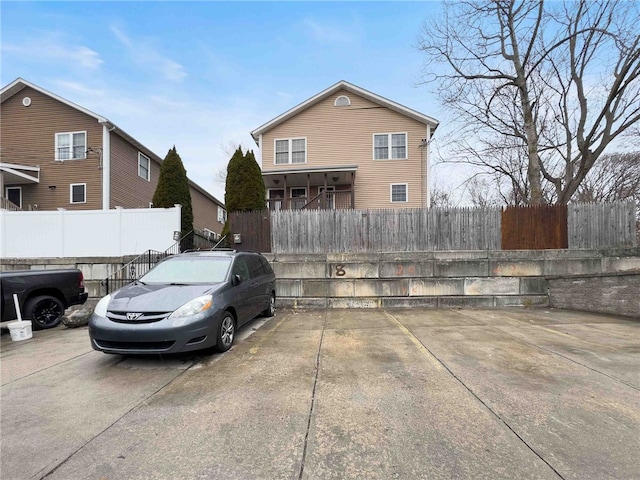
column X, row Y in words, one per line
column 436, row 279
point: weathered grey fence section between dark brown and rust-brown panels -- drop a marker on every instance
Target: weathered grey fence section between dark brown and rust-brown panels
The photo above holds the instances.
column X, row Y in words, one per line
column 408, row 230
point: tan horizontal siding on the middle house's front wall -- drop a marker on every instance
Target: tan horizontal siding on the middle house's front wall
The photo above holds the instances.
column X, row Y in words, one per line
column 344, row 136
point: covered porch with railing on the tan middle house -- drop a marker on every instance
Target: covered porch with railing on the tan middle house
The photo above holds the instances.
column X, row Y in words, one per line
column 310, row 188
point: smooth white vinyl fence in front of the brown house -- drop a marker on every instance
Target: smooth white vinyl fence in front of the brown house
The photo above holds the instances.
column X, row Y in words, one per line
column 87, row 233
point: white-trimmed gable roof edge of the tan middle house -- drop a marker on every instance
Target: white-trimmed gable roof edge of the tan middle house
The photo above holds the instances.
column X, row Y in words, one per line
column 344, row 85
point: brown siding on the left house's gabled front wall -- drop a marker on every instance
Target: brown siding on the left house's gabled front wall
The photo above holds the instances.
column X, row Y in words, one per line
column 27, row 137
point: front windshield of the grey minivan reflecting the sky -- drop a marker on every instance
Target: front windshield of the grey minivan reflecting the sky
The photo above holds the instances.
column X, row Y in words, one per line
column 187, row 270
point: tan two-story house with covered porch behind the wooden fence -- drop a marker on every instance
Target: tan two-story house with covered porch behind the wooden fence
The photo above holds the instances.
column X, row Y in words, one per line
column 346, row 147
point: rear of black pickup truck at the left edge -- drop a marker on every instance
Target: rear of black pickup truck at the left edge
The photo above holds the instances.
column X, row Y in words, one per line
column 43, row 295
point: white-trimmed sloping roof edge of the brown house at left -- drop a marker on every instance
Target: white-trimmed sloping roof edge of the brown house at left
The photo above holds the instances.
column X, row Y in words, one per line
column 20, row 84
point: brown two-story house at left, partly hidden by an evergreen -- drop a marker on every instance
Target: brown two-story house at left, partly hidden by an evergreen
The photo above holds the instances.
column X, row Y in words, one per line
column 57, row 154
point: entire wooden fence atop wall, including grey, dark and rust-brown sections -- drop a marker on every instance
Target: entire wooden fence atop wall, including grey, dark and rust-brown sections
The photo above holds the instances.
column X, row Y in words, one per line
column 412, row 230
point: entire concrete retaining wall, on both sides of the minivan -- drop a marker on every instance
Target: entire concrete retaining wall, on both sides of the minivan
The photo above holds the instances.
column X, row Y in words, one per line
column 597, row 280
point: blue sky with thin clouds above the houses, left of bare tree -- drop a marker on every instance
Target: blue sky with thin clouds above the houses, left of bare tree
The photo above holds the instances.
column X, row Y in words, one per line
column 202, row 75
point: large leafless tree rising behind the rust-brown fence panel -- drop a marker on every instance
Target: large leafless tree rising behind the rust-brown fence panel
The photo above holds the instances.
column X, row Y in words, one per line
column 540, row 90
